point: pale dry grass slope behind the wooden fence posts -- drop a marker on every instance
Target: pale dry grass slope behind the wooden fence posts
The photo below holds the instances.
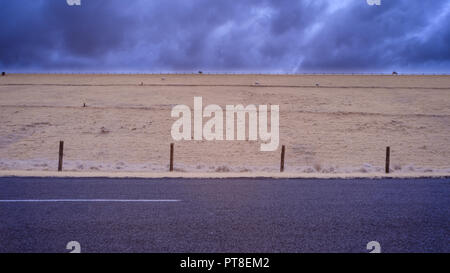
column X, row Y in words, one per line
column 329, row 123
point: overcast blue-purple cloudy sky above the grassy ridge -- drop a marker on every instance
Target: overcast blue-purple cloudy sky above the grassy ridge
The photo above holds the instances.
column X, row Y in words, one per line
column 279, row 36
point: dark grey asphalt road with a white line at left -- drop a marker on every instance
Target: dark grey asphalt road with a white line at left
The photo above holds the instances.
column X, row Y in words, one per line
column 224, row 215
